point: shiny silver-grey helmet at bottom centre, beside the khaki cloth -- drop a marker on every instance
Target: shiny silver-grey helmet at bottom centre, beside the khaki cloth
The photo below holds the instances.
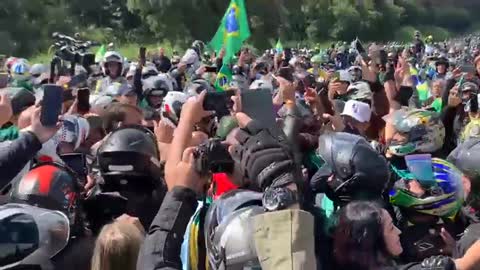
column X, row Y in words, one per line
column 229, row 229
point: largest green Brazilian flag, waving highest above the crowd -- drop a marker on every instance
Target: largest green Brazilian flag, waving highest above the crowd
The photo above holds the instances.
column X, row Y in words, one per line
column 233, row 30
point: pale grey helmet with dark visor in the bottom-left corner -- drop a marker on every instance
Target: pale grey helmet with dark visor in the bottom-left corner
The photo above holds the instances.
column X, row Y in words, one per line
column 31, row 236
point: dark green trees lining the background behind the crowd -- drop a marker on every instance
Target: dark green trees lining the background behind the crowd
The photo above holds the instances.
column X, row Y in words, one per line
column 26, row 25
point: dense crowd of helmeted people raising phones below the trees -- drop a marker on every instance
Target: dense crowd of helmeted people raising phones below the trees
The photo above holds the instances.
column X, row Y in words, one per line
column 360, row 157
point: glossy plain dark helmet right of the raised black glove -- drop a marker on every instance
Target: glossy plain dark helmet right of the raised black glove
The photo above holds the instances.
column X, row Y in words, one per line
column 352, row 169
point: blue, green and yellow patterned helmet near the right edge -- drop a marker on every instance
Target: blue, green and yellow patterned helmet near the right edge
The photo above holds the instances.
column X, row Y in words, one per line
column 441, row 185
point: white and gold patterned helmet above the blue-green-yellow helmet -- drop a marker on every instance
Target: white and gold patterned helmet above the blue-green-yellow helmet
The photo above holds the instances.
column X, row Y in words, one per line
column 423, row 131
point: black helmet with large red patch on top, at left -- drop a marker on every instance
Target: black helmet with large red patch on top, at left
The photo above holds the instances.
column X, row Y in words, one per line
column 51, row 186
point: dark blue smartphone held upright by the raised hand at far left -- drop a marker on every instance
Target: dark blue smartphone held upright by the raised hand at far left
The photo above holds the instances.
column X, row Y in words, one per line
column 51, row 104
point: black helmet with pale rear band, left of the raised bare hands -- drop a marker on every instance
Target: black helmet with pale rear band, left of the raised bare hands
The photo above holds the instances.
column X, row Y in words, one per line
column 128, row 154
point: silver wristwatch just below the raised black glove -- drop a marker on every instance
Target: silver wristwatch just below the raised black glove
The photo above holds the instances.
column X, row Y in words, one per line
column 278, row 198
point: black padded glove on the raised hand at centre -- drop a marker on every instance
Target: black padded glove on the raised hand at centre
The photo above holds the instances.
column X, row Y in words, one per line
column 261, row 160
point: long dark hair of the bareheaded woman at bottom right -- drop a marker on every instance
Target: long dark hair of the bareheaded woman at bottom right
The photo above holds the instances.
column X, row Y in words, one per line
column 358, row 238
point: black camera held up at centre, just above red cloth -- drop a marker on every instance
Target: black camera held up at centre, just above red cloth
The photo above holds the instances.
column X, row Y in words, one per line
column 213, row 157
